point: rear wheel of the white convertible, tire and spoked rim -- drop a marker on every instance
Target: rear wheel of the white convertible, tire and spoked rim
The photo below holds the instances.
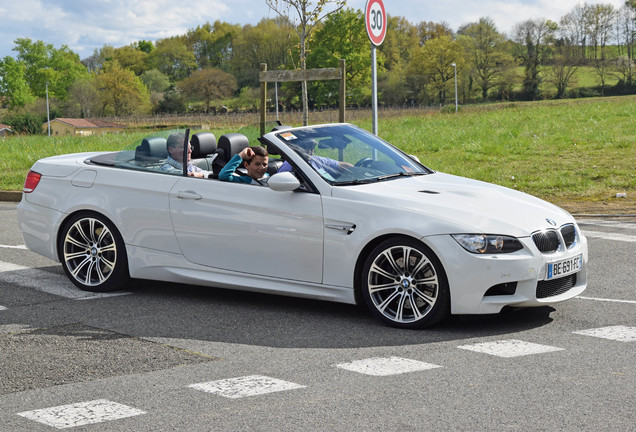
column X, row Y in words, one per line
column 93, row 253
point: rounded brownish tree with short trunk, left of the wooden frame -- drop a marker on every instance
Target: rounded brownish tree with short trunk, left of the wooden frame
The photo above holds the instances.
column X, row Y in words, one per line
column 209, row 84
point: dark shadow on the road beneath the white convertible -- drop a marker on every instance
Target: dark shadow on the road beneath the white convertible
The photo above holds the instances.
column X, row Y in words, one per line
column 191, row 312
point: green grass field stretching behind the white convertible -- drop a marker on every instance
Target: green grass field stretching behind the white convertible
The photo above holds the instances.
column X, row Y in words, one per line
column 580, row 150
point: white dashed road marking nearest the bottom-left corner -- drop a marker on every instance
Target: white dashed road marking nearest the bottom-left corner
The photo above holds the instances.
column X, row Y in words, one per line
column 80, row 414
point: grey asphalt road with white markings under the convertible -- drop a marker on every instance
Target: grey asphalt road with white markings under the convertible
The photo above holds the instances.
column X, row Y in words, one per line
column 162, row 357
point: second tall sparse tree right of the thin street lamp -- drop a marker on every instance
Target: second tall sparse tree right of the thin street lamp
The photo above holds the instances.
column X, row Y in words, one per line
column 533, row 38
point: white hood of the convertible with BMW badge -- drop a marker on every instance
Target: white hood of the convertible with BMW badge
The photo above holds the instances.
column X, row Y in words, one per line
column 462, row 205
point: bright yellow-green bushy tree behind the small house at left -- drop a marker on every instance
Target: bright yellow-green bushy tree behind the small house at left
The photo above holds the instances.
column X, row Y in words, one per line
column 121, row 91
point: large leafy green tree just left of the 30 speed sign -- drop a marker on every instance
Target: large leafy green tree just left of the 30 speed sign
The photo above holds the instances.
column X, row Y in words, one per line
column 343, row 36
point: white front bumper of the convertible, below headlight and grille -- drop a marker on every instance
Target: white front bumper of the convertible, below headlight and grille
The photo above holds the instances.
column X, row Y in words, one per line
column 473, row 279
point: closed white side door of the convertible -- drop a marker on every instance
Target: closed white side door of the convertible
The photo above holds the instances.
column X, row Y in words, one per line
column 249, row 228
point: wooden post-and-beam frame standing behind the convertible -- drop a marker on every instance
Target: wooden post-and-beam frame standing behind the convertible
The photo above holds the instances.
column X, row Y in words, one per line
column 277, row 76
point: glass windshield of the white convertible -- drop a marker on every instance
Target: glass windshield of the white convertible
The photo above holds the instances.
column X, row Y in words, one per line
column 345, row 155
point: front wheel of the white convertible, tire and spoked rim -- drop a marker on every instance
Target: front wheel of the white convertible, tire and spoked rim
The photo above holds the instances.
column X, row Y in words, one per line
column 404, row 285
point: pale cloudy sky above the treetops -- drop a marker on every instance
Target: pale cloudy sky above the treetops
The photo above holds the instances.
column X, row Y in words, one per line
column 85, row 25
